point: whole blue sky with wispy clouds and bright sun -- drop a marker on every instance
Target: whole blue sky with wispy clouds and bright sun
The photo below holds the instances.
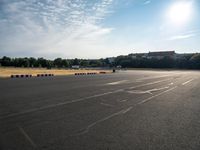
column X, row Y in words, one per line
column 97, row 28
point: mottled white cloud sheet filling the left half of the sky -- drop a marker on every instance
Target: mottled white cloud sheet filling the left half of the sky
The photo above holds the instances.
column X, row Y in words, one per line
column 44, row 27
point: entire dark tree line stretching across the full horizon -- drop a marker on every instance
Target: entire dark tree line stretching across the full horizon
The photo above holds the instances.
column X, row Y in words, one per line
column 191, row 61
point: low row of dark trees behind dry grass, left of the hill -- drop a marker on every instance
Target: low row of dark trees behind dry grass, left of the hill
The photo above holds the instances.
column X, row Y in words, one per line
column 56, row 63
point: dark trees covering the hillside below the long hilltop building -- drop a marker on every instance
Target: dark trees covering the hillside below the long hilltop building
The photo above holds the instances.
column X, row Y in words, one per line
column 190, row 61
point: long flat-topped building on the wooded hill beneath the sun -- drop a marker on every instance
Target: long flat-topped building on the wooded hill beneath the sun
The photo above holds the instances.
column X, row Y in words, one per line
column 162, row 54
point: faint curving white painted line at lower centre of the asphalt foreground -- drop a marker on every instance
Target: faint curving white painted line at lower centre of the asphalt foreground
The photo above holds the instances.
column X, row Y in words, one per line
column 86, row 130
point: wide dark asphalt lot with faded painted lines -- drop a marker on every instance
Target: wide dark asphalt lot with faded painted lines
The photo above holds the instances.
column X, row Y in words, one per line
column 128, row 110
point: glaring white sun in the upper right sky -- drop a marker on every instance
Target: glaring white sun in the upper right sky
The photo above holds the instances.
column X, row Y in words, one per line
column 180, row 12
